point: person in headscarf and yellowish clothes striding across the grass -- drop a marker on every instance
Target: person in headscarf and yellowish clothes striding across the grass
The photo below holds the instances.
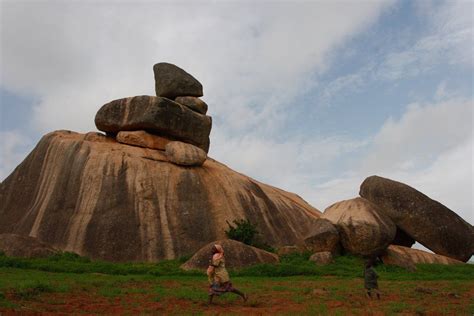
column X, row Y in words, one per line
column 218, row 276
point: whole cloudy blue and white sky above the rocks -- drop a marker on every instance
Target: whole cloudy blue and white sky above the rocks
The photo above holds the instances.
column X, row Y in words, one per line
column 311, row 97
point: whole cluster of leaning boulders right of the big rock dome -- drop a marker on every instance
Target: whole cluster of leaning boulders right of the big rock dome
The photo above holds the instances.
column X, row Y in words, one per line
column 385, row 221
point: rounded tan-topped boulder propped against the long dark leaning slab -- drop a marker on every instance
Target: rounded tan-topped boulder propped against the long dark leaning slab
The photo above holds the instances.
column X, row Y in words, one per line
column 363, row 228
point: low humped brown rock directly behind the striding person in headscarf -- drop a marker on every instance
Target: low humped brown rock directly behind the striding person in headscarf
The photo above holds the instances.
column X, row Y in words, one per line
column 237, row 255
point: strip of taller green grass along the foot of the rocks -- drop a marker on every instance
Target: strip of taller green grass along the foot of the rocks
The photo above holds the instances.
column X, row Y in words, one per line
column 289, row 265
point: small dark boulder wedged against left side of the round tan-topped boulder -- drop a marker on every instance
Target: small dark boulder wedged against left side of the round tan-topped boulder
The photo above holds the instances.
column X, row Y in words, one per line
column 324, row 237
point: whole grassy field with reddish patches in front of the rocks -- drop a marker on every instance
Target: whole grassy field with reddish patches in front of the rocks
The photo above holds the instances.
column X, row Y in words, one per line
column 68, row 283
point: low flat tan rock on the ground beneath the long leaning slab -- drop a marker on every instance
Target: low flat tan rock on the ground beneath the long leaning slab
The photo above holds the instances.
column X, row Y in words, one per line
column 408, row 257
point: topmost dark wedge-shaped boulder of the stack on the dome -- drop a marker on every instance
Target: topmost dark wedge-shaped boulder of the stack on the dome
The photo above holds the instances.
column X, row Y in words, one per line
column 172, row 81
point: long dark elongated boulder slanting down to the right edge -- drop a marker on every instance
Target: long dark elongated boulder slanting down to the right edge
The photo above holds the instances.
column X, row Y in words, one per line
column 429, row 222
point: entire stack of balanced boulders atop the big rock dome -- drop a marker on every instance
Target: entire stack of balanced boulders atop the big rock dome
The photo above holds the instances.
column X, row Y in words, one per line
column 173, row 121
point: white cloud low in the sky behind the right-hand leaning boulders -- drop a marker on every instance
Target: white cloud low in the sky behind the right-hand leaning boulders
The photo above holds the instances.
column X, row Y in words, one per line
column 429, row 148
